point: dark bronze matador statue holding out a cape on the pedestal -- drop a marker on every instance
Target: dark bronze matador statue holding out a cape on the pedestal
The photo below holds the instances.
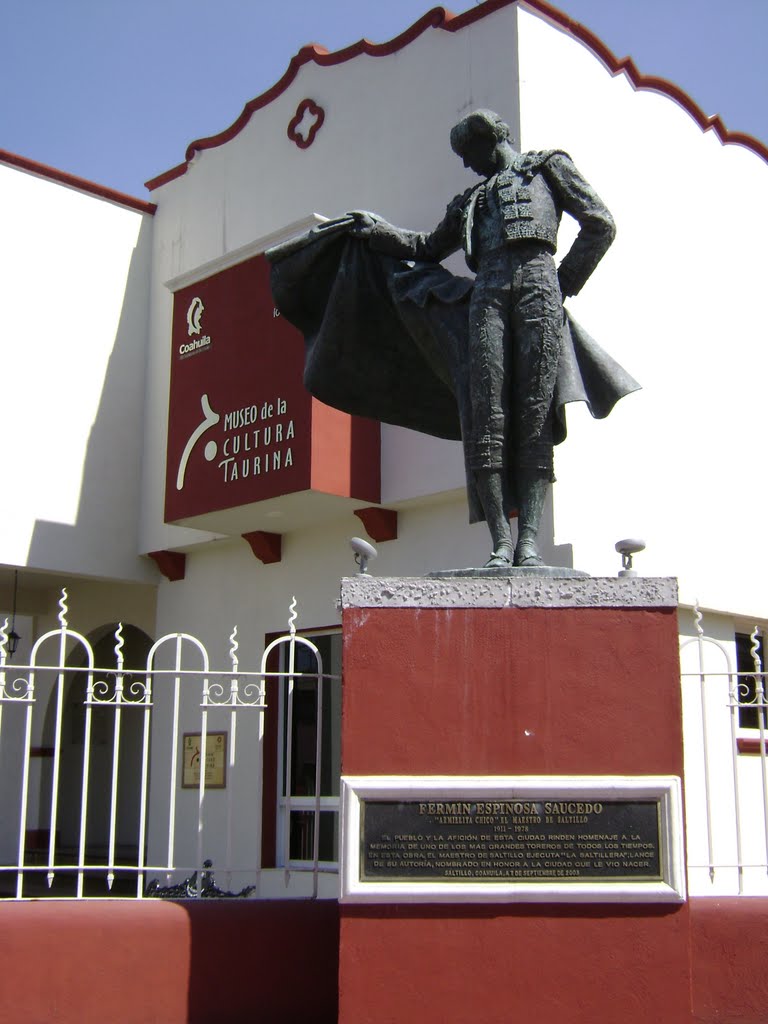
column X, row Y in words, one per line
column 500, row 353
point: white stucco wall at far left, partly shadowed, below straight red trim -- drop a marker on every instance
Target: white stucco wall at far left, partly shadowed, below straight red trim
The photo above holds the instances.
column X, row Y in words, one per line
column 75, row 272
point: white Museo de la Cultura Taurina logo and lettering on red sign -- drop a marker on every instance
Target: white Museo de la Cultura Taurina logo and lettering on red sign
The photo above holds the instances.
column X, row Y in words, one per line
column 258, row 440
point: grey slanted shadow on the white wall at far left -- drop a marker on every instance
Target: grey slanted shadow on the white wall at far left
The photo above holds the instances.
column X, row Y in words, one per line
column 104, row 539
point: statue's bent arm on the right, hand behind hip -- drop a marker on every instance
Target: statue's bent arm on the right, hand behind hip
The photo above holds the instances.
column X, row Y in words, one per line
column 577, row 197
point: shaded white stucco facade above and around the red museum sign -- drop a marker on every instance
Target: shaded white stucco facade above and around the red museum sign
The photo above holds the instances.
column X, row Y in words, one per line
column 385, row 147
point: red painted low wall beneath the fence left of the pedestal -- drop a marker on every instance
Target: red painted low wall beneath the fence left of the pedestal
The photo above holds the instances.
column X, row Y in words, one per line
column 153, row 962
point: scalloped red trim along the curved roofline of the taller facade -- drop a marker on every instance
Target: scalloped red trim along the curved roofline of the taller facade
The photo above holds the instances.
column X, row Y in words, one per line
column 440, row 18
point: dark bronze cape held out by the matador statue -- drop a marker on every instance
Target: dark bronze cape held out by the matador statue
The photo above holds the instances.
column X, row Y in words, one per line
column 389, row 339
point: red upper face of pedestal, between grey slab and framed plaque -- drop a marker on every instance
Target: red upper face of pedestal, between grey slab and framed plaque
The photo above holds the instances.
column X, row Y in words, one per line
column 511, row 692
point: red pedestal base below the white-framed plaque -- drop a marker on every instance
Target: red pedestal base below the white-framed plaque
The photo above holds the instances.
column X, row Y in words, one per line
column 549, row 965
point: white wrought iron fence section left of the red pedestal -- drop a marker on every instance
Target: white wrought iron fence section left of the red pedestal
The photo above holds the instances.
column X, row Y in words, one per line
column 109, row 776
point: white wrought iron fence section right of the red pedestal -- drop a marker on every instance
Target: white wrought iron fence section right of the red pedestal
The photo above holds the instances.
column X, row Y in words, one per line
column 727, row 764
